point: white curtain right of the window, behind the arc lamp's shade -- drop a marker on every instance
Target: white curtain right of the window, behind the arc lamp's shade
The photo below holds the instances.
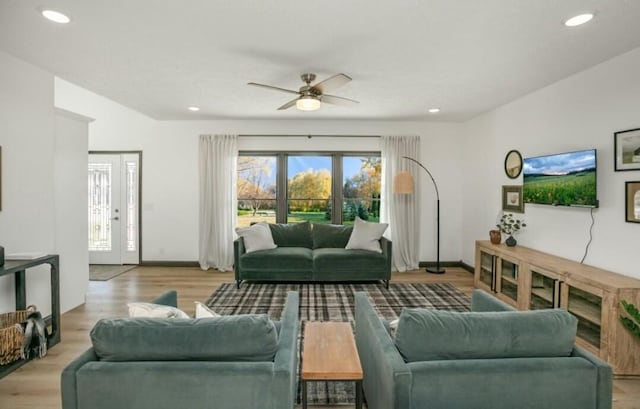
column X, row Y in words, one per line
column 401, row 211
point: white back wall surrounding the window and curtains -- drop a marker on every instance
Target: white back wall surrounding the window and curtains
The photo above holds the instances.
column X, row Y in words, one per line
column 170, row 165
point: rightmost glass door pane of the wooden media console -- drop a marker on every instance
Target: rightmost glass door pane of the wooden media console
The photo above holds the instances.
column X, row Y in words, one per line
column 585, row 303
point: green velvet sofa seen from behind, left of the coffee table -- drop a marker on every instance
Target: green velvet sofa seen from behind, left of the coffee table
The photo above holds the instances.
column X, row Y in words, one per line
column 226, row 362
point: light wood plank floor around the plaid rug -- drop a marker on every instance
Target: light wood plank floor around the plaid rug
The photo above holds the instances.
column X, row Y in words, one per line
column 37, row 384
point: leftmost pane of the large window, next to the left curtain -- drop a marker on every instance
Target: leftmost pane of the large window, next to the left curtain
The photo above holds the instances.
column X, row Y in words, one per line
column 256, row 186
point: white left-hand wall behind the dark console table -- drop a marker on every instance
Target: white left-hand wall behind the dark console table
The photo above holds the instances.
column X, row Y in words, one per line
column 42, row 208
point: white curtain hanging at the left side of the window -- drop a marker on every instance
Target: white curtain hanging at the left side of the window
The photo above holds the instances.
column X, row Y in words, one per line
column 218, row 162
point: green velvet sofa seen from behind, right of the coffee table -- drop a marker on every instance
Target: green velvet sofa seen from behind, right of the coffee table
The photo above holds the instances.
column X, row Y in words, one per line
column 492, row 358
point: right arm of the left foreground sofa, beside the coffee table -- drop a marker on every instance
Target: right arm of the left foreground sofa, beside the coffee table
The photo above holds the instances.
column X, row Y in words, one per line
column 285, row 362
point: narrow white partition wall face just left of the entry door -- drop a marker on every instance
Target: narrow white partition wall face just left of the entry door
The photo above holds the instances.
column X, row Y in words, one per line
column 71, row 203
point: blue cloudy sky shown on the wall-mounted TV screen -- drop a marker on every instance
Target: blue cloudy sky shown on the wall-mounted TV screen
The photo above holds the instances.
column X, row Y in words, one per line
column 560, row 164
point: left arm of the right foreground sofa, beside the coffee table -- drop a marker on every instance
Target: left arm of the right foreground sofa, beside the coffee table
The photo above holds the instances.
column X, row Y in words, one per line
column 387, row 378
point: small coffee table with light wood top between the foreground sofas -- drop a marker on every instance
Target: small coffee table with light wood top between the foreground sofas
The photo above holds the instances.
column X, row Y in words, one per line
column 330, row 354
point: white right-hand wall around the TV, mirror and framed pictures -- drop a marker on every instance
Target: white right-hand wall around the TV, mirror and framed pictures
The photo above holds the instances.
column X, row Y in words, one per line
column 580, row 112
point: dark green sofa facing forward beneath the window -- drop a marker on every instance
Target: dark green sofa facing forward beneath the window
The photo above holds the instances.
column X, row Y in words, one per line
column 311, row 253
